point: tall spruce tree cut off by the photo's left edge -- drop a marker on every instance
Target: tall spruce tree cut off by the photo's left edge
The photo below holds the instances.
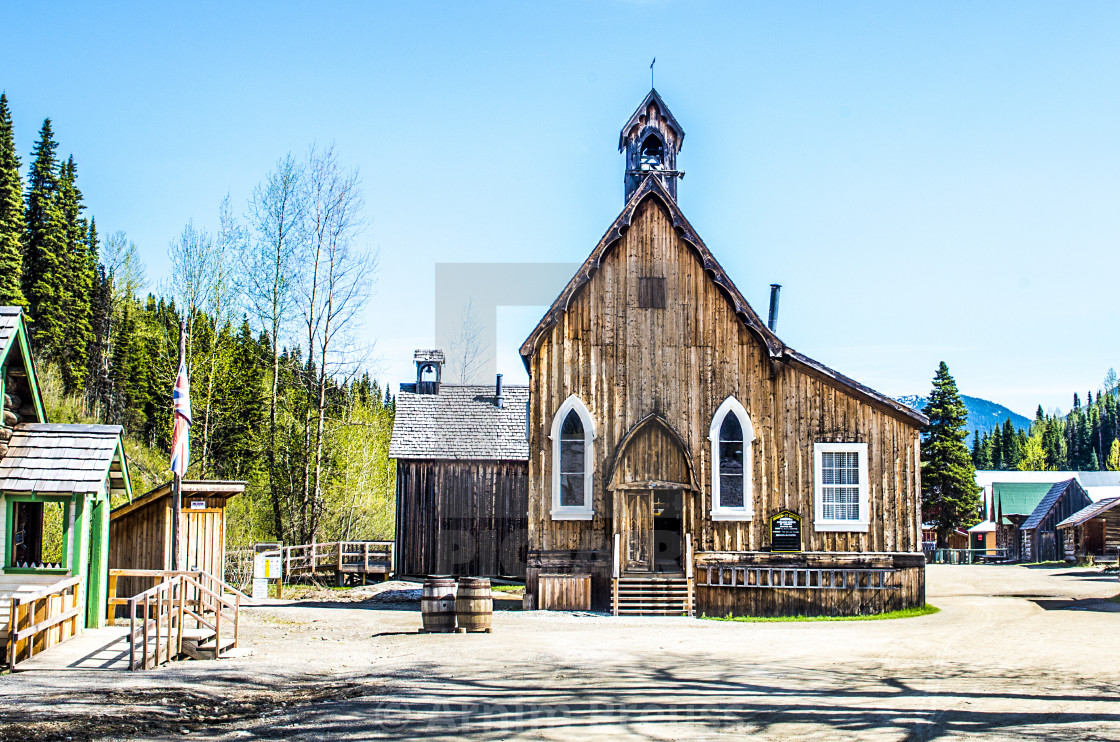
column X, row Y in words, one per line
column 12, row 215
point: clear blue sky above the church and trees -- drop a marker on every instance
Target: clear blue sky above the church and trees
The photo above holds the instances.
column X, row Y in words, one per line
column 929, row 182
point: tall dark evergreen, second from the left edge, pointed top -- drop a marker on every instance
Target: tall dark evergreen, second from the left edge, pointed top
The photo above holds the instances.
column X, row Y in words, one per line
column 44, row 284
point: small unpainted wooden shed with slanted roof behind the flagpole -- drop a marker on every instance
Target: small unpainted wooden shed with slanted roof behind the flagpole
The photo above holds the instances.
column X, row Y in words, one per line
column 141, row 532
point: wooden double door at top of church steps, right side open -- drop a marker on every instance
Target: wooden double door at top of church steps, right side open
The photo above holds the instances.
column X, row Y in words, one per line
column 652, row 531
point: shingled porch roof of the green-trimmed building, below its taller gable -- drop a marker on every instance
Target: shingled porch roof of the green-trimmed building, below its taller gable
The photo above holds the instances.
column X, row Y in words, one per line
column 59, row 458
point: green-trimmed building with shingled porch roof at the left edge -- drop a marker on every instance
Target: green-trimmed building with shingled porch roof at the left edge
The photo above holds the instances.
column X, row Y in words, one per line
column 57, row 484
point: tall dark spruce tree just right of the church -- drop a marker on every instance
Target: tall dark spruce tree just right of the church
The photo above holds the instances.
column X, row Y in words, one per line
column 950, row 496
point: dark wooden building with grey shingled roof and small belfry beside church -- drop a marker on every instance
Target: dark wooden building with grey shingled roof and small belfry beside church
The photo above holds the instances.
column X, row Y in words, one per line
column 462, row 476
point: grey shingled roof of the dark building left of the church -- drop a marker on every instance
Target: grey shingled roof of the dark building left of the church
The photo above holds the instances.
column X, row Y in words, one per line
column 461, row 423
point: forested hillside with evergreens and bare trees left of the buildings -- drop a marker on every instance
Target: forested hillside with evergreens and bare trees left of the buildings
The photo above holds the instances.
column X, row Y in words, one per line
column 276, row 354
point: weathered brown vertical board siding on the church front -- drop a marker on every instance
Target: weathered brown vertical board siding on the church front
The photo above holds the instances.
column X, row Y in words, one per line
column 682, row 364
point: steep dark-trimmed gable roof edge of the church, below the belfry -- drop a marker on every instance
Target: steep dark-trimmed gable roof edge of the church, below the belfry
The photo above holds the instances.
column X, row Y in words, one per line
column 779, row 351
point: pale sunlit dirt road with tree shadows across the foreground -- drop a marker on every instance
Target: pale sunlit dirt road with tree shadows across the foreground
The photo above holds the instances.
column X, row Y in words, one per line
column 1016, row 653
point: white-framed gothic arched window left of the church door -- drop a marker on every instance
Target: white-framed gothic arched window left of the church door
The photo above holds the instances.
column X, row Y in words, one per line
column 573, row 461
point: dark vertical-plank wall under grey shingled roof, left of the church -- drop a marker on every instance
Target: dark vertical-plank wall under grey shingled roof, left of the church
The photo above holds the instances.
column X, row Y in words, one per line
column 462, row 517
